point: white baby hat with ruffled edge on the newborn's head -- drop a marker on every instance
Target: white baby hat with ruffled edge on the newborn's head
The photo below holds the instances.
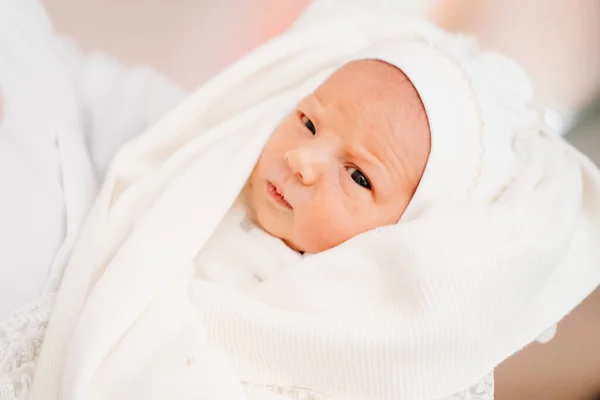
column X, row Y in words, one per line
column 475, row 104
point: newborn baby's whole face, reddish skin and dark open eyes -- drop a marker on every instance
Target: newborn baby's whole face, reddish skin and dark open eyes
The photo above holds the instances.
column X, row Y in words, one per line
column 348, row 159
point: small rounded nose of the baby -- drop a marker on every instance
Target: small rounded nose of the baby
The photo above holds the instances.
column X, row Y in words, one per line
column 308, row 164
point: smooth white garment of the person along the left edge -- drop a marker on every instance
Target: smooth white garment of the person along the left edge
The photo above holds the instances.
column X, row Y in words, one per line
column 46, row 180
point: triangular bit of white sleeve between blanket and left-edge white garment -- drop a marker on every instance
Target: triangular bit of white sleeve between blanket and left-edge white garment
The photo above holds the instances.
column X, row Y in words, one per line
column 118, row 102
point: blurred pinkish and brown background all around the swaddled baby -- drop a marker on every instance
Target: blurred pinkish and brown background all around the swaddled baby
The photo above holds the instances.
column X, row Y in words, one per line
column 557, row 41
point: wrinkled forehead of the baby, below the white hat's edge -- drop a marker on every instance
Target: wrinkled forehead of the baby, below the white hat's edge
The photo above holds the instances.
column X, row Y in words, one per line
column 374, row 106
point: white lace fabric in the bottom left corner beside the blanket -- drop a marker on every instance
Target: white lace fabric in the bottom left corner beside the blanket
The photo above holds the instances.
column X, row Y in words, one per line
column 21, row 336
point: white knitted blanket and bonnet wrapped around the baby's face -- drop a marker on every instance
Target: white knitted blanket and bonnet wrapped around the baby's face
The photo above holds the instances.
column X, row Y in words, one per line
column 497, row 244
